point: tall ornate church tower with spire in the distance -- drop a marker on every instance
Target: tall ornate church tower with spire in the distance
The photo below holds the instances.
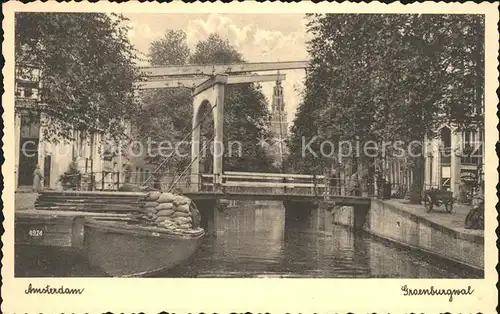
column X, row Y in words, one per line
column 278, row 123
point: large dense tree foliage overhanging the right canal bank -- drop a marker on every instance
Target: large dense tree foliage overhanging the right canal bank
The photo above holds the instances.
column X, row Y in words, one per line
column 388, row 77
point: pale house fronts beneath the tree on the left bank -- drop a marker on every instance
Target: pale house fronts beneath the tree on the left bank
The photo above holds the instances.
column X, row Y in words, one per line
column 54, row 159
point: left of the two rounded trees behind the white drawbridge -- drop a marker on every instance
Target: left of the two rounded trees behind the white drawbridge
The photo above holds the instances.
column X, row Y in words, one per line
column 161, row 120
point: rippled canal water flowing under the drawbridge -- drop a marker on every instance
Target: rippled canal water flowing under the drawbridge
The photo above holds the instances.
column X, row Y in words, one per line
column 257, row 241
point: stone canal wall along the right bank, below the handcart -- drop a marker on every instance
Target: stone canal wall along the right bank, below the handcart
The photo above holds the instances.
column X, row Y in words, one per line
column 390, row 221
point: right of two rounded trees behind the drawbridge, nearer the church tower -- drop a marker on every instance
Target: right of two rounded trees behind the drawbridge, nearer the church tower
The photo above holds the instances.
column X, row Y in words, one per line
column 245, row 112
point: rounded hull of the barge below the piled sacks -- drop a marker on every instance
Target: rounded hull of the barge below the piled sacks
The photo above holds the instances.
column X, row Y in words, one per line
column 125, row 251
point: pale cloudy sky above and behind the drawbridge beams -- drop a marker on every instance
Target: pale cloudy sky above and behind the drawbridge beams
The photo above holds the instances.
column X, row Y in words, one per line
column 258, row 37
